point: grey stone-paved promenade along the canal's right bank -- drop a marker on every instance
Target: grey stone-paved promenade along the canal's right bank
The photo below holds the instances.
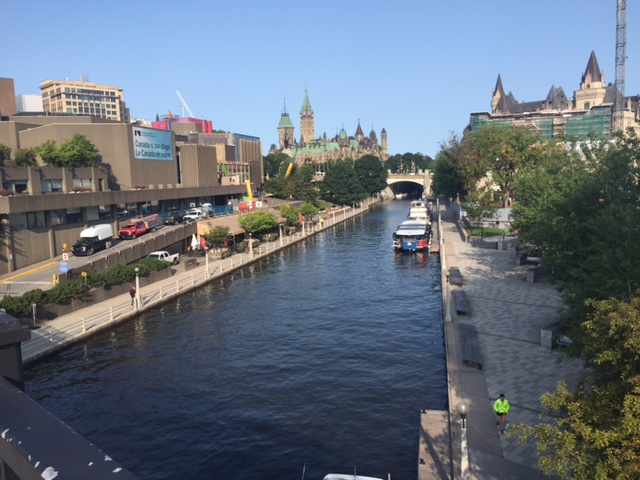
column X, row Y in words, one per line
column 508, row 313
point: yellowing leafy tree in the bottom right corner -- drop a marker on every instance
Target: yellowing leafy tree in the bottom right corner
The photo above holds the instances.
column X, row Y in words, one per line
column 595, row 433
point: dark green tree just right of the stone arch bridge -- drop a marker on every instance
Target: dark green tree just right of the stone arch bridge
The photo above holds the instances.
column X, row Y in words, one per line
column 447, row 178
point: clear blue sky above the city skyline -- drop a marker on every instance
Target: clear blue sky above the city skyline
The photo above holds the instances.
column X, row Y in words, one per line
column 415, row 67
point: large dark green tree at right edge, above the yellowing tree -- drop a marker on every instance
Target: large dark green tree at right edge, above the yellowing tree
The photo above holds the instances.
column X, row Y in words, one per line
column 580, row 206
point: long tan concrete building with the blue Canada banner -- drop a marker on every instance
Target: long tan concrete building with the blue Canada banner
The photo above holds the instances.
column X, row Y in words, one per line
column 141, row 170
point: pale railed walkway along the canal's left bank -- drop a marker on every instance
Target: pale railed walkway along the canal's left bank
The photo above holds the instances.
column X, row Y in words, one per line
column 66, row 329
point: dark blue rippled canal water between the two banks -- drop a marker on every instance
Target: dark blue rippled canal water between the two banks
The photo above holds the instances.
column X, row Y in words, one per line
column 317, row 359
